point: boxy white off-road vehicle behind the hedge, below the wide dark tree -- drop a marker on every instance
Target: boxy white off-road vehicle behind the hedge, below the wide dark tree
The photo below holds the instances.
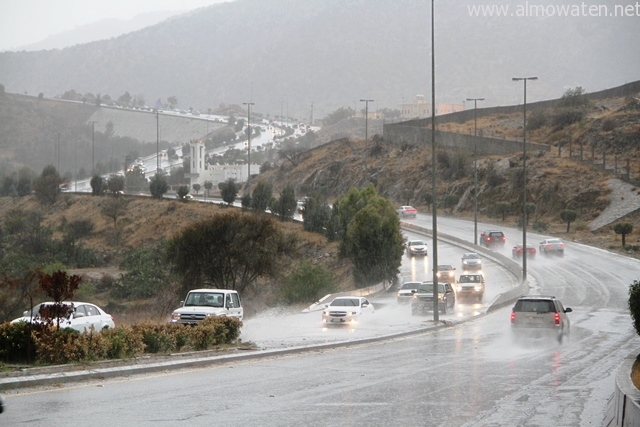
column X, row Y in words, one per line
column 202, row 303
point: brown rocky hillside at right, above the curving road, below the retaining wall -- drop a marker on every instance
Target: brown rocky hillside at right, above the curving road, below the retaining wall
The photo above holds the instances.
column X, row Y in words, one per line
column 554, row 180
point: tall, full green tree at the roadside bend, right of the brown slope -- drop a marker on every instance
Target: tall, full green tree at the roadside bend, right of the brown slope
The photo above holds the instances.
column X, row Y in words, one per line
column 370, row 236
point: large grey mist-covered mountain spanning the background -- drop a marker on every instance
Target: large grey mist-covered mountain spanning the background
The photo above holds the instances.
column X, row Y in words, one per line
column 288, row 55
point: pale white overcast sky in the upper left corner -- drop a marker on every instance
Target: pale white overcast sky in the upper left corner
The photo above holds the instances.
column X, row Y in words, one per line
column 23, row 22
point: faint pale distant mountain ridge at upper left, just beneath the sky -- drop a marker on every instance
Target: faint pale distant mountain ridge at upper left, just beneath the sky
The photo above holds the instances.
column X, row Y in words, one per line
column 99, row 30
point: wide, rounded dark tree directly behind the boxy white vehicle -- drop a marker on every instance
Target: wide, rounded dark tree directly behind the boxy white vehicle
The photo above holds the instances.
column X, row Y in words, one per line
column 228, row 251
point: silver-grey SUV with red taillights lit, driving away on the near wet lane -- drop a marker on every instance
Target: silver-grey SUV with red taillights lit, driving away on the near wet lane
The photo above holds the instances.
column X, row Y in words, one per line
column 535, row 316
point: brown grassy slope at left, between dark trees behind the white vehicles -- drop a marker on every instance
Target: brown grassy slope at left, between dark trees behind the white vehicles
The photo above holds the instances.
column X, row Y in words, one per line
column 146, row 223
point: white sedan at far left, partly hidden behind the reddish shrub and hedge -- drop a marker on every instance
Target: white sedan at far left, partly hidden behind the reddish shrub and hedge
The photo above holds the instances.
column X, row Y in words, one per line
column 83, row 315
